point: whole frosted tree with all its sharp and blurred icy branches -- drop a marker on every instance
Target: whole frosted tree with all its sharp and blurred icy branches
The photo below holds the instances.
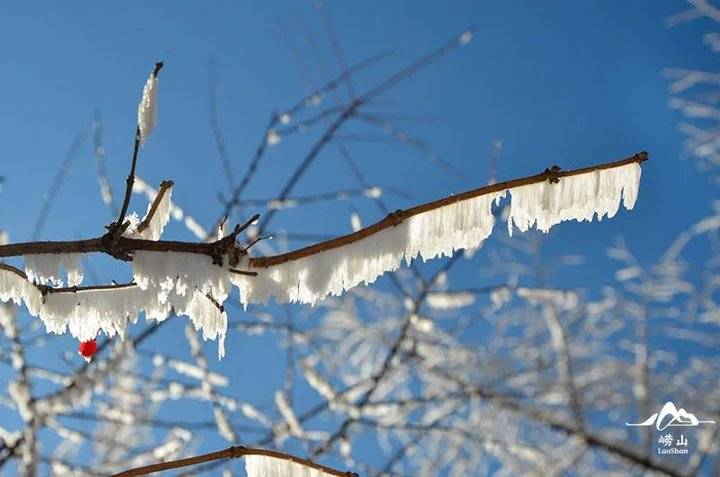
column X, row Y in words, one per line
column 513, row 374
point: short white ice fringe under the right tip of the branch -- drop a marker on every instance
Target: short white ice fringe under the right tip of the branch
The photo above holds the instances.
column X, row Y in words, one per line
column 579, row 197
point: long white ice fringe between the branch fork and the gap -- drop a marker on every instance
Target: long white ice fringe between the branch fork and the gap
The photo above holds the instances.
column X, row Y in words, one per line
column 431, row 234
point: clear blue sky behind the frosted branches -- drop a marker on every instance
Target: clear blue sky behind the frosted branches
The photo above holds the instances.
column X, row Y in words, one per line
column 567, row 83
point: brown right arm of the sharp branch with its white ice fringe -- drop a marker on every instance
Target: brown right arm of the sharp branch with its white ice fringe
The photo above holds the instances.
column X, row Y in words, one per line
column 440, row 228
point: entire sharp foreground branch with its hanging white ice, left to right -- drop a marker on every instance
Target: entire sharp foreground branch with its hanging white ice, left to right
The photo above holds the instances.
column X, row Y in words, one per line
column 194, row 279
